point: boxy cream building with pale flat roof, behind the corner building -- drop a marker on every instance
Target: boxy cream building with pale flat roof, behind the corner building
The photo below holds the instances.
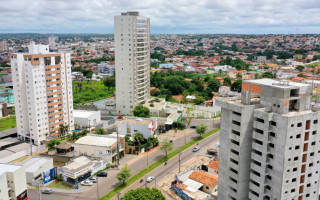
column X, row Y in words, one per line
column 100, row 146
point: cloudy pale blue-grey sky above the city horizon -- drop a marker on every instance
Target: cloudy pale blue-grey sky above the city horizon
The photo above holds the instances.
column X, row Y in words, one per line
column 167, row 16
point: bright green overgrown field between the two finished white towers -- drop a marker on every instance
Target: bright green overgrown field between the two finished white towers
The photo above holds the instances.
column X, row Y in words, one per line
column 90, row 92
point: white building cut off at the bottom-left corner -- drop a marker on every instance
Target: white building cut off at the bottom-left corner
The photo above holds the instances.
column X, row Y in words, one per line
column 13, row 184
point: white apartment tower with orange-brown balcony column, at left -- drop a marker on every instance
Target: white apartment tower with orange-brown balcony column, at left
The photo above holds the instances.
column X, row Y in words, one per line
column 42, row 92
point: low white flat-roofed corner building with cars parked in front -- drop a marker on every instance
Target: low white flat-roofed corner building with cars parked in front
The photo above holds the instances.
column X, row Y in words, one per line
column 79, row 169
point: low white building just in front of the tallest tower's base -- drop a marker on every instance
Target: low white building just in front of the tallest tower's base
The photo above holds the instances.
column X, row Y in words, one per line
column 146, row 127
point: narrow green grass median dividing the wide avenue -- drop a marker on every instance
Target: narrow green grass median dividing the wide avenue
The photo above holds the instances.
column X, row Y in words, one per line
column 154, row 165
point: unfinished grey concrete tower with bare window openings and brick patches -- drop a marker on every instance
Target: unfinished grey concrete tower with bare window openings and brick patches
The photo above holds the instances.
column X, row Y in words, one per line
column 269, row 143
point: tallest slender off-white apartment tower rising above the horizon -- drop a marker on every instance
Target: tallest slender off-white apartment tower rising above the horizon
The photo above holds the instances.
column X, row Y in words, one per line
column 132, row 60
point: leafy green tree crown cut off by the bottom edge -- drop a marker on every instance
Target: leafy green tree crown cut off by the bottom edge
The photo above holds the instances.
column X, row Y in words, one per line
column 144, row 194
